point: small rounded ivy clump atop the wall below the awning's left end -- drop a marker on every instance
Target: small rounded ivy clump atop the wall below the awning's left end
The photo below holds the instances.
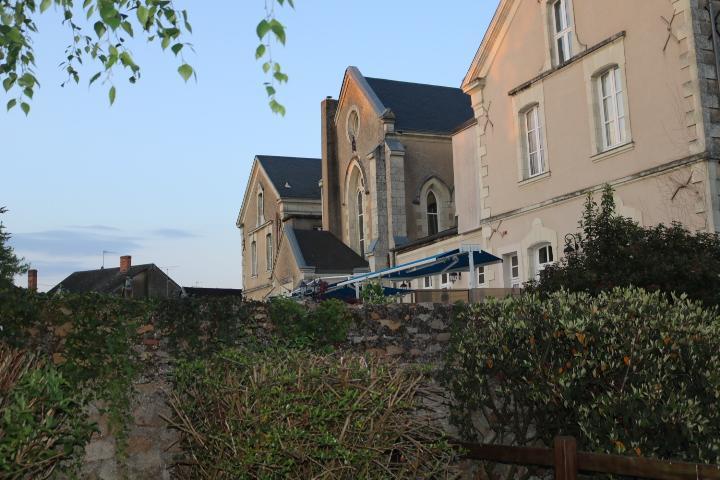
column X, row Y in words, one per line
column 325, row 324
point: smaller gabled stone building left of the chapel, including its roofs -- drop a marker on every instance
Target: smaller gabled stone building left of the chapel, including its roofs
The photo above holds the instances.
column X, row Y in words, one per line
column 283, row 244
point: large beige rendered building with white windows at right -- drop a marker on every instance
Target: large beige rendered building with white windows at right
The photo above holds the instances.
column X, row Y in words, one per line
column 569, row 95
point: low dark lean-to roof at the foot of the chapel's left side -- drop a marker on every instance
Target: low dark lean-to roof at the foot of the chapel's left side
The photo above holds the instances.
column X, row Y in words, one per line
column 327, row 253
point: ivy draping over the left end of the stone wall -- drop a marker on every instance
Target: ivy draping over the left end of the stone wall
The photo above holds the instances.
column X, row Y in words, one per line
column 90, row 337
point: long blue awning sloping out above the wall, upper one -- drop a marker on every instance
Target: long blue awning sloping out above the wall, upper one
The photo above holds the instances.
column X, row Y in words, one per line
column 457, row 260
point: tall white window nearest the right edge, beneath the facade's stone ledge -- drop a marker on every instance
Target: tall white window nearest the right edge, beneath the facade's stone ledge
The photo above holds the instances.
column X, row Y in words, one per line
column 612, row 109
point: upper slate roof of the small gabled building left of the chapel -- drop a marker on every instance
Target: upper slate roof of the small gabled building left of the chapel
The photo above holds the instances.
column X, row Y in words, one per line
column 301, row 174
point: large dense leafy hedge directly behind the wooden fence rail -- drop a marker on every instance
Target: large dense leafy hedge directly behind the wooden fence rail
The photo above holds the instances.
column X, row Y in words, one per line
column 627, row 372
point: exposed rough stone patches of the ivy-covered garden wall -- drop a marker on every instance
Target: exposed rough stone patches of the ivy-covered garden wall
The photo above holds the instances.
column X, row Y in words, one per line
column 409, row 334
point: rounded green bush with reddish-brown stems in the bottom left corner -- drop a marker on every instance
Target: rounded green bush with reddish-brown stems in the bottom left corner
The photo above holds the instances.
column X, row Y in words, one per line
column 43, row 426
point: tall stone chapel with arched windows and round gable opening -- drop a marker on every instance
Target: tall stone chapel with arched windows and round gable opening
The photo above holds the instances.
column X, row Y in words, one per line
column 387, row 163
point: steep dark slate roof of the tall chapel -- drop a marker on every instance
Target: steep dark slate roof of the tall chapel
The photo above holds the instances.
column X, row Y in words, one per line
column 423, row 108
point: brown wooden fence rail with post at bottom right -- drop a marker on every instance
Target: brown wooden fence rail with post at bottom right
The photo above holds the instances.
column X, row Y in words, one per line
column 568, row 462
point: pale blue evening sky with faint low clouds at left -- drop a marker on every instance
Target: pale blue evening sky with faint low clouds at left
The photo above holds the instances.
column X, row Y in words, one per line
column 161, row 174
